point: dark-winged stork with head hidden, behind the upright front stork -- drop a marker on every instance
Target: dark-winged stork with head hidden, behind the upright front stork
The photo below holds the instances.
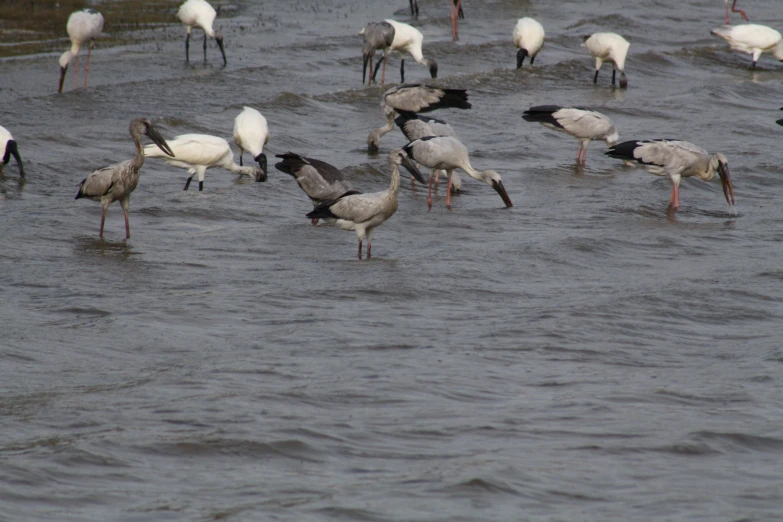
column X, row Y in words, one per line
column 318, row 179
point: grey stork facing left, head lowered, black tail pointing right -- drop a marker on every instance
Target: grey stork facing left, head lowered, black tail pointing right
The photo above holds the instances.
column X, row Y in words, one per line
column 415, row 98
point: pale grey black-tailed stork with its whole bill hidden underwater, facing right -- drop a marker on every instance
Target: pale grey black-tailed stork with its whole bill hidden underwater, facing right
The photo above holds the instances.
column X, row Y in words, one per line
column 583, row 124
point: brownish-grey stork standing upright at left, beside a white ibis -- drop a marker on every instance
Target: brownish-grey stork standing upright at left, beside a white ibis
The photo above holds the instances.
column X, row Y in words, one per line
column 117, row 182
